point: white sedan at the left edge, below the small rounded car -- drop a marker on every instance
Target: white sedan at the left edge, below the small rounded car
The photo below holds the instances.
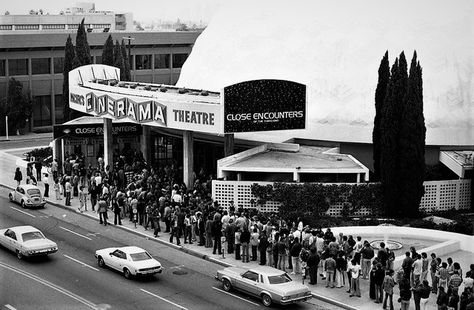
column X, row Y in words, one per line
column 26, row 241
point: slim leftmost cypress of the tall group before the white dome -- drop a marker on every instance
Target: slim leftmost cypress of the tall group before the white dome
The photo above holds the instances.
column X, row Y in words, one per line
column 380, row 92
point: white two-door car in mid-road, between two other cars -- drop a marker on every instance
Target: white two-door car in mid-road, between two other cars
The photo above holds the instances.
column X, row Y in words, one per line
column 130, row 260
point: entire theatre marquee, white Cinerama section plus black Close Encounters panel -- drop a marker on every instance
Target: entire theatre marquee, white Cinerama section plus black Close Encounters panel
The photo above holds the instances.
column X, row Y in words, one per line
column 259, row 105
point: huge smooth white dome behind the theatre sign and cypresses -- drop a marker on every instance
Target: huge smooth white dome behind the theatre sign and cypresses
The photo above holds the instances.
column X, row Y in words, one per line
column 335, row 47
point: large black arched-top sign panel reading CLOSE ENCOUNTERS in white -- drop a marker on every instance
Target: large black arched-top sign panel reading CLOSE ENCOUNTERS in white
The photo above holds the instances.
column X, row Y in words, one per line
column 264, row 105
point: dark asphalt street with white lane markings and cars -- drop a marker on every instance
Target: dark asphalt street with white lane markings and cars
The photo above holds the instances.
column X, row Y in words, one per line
column 71, row 278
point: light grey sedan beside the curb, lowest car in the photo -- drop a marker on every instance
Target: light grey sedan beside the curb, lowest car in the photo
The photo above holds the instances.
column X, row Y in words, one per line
column 270, row 284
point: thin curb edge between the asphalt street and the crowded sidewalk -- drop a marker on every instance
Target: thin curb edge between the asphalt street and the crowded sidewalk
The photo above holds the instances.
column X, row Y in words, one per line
column 184, row 250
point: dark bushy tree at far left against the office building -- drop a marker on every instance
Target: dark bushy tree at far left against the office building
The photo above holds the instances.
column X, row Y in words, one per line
column 18, row 106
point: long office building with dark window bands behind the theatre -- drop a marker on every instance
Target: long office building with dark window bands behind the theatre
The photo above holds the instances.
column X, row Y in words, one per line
column 36, row 59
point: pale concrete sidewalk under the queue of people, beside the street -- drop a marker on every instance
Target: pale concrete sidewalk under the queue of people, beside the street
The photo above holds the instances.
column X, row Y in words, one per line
column 336, row 296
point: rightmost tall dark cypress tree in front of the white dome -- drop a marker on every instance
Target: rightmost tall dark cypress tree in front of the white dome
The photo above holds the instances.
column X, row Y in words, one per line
column 412, row 143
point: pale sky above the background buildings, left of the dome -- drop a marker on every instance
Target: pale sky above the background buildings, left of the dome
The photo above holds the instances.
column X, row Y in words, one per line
column 143, row 10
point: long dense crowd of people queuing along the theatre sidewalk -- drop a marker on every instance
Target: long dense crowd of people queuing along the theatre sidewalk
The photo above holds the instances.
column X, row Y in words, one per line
column 153, row 198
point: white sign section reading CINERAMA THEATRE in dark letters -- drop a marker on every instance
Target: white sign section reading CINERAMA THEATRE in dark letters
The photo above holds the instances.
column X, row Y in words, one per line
column 143, row 108
